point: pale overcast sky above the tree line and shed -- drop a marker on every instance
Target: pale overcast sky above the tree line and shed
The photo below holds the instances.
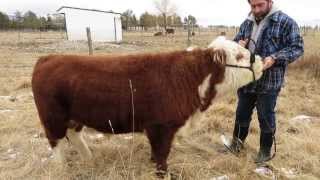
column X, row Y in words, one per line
column 216, row 12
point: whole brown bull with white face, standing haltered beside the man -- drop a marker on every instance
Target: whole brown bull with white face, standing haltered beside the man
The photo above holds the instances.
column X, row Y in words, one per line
column 151, row 92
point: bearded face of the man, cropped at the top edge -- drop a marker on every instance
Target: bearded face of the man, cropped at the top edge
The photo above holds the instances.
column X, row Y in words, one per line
column 260, row 8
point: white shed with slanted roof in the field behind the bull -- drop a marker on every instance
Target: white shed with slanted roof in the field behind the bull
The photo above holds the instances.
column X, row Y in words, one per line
column 104, row 25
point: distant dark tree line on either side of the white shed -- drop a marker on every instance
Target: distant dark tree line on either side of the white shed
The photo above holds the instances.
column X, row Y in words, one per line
column 30, row 20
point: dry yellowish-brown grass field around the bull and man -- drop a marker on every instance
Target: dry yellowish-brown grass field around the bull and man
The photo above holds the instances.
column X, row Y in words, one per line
column 25, row 152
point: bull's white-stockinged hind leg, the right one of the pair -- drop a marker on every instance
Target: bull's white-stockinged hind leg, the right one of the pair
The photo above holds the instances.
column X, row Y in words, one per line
column 76, row 139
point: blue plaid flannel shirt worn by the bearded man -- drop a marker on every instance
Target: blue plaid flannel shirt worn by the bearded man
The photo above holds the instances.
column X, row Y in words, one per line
column 280, row 38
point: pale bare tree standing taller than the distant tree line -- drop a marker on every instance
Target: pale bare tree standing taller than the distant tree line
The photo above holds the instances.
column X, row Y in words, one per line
column 166, row 9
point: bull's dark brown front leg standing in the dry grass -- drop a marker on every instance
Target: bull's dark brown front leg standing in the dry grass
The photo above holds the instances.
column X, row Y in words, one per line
column 160, row 137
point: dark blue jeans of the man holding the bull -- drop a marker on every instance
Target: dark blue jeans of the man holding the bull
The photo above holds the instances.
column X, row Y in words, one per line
column 265, row 104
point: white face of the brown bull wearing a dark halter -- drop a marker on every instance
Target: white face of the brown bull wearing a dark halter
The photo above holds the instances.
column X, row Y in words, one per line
column 236, row 55
